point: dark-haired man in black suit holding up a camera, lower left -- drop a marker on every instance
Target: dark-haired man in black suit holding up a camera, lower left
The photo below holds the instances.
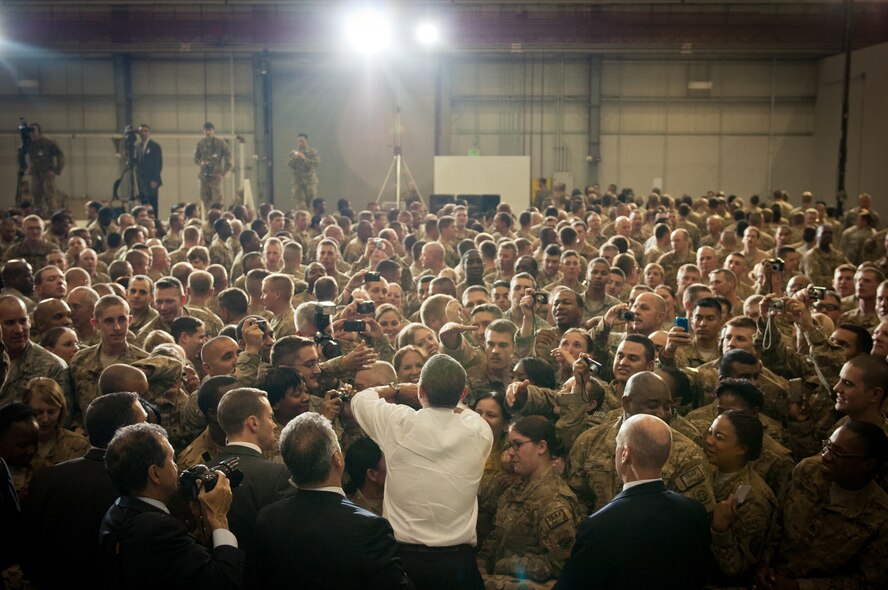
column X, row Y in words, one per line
column 141, row 545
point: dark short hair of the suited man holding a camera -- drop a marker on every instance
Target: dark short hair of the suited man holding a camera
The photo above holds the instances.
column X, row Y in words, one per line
column 131, row 452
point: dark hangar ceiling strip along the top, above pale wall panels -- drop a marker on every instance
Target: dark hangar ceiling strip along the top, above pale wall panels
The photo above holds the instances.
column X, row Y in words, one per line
column 684, row 29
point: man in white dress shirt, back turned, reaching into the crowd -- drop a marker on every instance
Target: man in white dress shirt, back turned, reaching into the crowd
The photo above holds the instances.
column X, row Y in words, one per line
column 435, row 458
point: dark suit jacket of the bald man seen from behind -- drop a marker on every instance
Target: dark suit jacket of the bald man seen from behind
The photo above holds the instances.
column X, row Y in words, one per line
column 646, row 537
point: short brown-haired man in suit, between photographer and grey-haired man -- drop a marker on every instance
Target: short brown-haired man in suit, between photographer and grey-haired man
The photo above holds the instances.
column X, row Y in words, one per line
column 248, row 421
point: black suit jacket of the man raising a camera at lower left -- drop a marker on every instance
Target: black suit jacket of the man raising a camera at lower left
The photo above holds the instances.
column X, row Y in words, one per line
column 144, row 547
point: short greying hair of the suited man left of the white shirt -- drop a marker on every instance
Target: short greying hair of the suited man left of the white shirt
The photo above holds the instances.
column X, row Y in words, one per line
column 308, row 444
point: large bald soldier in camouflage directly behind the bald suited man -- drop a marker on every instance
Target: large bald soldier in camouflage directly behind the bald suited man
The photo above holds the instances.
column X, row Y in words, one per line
column 593, row 475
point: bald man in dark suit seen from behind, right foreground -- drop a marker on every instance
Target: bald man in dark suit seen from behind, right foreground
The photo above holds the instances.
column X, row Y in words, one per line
column 647, row 536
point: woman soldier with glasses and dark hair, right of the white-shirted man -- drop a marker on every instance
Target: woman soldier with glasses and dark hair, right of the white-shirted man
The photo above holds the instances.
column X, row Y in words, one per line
column 536, row 520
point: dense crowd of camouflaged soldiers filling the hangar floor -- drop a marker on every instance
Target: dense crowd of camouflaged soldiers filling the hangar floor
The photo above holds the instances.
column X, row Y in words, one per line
column 757, row 330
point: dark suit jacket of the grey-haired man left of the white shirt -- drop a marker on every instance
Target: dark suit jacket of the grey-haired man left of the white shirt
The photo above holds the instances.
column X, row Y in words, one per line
column 316, row 540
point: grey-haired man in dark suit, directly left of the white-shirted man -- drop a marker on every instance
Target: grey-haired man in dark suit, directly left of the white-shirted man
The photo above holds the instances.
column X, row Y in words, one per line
column 318, row 539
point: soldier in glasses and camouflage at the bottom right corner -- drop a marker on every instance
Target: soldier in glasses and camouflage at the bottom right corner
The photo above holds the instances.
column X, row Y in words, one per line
column 831, row 526
